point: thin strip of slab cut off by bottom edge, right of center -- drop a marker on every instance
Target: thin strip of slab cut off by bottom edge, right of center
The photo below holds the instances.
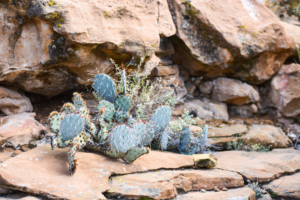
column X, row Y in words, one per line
column 233, row 194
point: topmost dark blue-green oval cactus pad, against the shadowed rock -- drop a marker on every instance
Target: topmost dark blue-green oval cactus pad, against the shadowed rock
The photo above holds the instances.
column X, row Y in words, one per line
column 105, row 87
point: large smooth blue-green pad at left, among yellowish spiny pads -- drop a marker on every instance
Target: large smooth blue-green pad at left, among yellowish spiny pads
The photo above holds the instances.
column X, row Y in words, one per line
column 71, row 126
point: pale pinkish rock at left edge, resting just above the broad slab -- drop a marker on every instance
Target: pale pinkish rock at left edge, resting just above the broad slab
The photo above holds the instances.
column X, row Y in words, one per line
column 20, row 129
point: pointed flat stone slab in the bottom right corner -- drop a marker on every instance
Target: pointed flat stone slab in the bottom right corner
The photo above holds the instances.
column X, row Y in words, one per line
column 287, row 187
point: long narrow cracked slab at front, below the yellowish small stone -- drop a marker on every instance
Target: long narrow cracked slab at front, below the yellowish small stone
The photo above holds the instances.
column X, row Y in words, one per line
column 166, row 184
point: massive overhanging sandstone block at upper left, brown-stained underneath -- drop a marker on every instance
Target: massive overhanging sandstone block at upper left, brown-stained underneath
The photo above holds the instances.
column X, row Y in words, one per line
column 55, row 46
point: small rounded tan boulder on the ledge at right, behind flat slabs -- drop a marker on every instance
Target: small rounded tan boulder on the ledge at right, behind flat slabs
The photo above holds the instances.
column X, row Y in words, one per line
column 267, row 135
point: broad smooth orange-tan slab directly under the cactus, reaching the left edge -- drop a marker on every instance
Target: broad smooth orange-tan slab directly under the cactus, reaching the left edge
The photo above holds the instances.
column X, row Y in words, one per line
column 45, row 171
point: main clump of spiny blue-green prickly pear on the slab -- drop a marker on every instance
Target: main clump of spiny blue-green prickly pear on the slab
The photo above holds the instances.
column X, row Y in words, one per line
column 118, row 135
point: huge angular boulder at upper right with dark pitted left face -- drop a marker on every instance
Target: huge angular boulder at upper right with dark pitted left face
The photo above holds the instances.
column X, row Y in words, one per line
column 241, row 39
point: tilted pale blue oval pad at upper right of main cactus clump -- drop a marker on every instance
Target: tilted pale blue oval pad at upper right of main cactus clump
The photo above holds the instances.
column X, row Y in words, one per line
column 161, row 118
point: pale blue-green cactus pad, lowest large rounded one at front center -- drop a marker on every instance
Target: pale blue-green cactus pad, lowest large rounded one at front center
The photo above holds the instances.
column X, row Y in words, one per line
column 121, row 139
